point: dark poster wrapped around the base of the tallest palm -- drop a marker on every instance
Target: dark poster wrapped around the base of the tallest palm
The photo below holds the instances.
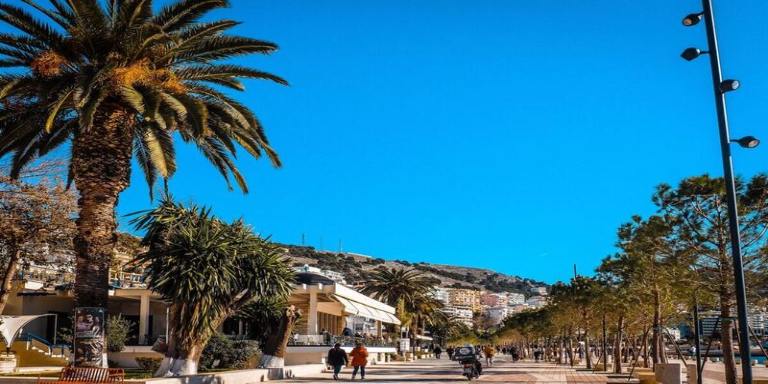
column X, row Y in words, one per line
column 89, row 343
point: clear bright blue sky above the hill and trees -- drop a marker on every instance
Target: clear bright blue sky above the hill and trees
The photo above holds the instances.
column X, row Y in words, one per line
column 513, row 135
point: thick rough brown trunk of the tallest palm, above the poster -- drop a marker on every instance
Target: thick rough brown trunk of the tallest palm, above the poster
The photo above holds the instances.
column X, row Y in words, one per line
column 101, row 164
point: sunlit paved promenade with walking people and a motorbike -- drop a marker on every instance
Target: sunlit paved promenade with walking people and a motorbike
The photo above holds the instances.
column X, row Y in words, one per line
column 445, row 371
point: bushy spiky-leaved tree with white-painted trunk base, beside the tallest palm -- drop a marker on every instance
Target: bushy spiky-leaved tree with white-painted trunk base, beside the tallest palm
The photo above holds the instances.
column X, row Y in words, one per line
column 209, row 271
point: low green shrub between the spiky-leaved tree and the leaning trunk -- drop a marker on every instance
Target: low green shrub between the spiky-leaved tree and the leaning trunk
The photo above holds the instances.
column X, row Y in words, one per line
column 223, row 352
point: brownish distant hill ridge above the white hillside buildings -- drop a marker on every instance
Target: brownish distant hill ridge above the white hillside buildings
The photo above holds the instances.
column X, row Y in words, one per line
column 355, row 266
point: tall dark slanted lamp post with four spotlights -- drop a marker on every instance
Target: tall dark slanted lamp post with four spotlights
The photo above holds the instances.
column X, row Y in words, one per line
column 721, row 88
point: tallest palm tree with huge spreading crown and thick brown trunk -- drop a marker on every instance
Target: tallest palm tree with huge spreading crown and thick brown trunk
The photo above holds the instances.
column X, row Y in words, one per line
column 121, row 81
